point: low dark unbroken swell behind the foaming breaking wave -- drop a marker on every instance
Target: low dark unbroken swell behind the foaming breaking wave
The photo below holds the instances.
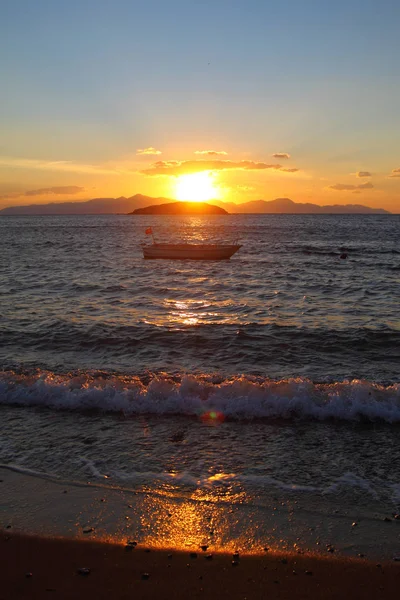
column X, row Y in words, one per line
column 58, row 334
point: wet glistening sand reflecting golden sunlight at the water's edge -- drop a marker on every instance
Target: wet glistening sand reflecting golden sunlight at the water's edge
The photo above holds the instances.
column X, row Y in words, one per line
column 32, row 505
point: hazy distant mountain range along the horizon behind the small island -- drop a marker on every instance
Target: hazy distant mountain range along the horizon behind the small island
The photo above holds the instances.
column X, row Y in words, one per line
column 123, row 205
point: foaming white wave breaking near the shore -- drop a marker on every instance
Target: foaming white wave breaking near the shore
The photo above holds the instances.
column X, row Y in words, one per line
column 208, row 397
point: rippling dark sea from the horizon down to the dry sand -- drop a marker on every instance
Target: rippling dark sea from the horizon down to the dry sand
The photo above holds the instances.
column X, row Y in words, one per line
column 251, row 403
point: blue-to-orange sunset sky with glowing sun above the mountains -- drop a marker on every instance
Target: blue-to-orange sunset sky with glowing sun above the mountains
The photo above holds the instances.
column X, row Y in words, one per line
column 257, row 99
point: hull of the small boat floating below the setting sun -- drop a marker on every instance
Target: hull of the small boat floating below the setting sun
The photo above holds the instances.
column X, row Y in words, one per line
column 190, row 251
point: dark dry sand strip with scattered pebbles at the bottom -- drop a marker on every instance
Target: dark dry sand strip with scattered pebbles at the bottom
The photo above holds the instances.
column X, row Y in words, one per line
column 34, row 567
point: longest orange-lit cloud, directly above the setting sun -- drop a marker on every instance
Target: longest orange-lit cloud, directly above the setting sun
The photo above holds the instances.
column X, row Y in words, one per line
column 174, row 167
